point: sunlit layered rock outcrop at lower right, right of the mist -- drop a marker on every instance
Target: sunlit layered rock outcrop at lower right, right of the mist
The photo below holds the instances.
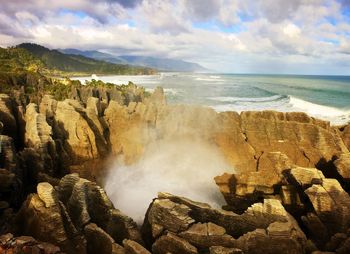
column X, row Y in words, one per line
column 320, row 204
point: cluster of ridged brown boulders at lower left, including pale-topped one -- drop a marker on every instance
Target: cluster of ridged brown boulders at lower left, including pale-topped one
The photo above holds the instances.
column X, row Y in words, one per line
column 77, row 216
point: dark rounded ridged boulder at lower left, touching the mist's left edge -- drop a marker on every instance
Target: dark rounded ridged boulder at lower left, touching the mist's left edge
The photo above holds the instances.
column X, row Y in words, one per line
column 87, row 202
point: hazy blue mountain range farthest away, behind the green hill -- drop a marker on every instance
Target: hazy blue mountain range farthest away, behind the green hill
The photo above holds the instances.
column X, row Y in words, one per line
column 164, row 64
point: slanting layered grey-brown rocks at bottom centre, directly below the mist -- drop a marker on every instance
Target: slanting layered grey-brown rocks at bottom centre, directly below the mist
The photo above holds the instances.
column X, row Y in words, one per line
column 178, row 225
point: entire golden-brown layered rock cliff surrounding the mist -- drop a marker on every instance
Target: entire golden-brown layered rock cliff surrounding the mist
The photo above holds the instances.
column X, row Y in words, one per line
column 289, row 191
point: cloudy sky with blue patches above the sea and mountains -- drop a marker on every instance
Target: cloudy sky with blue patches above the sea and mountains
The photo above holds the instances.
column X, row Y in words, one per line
column 227, row 36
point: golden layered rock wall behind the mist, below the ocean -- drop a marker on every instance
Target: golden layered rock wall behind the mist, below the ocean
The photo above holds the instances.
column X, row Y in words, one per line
column 87, row 130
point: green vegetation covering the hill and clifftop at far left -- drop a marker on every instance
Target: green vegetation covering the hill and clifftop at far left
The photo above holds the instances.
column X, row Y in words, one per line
column 36, row 70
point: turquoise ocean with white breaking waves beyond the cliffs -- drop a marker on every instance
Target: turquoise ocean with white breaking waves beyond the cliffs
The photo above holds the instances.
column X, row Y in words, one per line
column 324, row 97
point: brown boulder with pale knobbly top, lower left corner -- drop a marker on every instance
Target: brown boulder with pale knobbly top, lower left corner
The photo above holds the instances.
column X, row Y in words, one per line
column 44, row 217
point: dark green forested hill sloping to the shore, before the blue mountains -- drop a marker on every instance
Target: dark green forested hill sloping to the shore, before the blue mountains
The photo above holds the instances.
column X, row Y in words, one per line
column 77, row 64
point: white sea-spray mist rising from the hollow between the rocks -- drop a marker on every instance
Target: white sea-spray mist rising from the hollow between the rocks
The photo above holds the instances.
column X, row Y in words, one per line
column 184, row 167
